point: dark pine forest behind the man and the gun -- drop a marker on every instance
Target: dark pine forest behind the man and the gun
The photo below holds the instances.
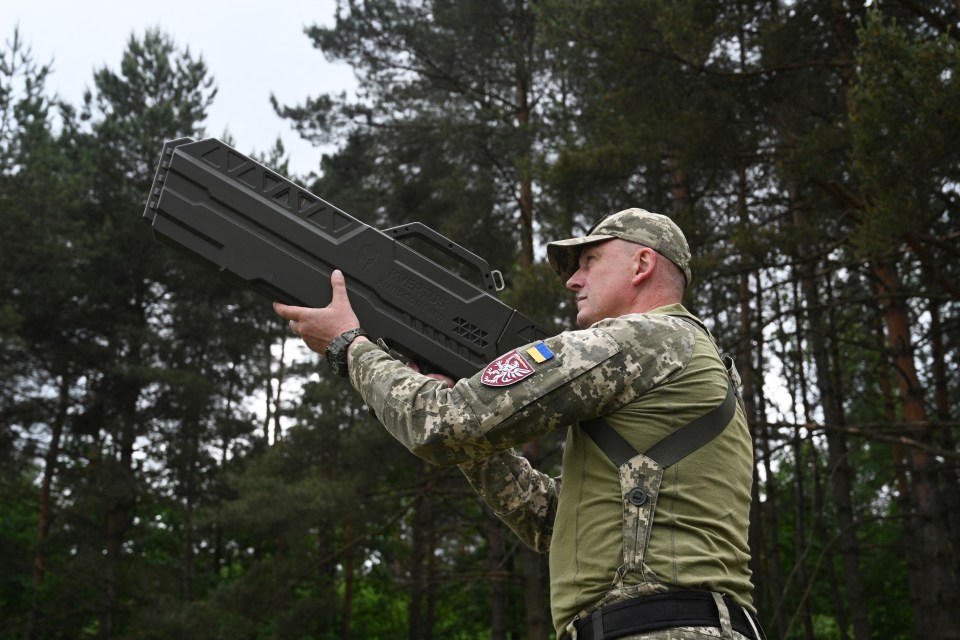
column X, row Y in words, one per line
column 169, row 469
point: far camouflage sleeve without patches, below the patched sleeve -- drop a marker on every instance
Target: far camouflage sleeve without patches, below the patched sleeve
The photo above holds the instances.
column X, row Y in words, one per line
column 521, row 496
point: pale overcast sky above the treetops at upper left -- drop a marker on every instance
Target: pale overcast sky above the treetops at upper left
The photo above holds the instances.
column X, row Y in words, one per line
column 252, row 49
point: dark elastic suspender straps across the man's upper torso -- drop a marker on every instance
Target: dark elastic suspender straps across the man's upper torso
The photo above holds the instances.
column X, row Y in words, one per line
column 675, row 446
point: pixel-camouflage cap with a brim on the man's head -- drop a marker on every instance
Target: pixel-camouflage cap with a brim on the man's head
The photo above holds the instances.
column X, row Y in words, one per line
column 653, row 230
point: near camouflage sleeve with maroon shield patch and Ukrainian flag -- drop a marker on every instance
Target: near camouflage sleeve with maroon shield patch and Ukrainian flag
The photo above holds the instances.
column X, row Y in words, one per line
column 587, row 373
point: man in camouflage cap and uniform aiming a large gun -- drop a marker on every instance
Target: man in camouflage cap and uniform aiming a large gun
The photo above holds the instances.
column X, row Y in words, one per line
column 668, row 562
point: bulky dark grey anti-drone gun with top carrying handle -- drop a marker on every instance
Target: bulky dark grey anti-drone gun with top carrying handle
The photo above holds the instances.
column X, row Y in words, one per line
column 235, row 215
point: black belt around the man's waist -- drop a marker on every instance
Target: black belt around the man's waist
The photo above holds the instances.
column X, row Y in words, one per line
column 663, row 611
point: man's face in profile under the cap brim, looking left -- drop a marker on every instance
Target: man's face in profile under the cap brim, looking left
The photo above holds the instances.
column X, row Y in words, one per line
column 603, row 281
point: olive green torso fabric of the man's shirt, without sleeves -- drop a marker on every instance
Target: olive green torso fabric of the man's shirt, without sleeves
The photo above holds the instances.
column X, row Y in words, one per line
column 699, row 536
